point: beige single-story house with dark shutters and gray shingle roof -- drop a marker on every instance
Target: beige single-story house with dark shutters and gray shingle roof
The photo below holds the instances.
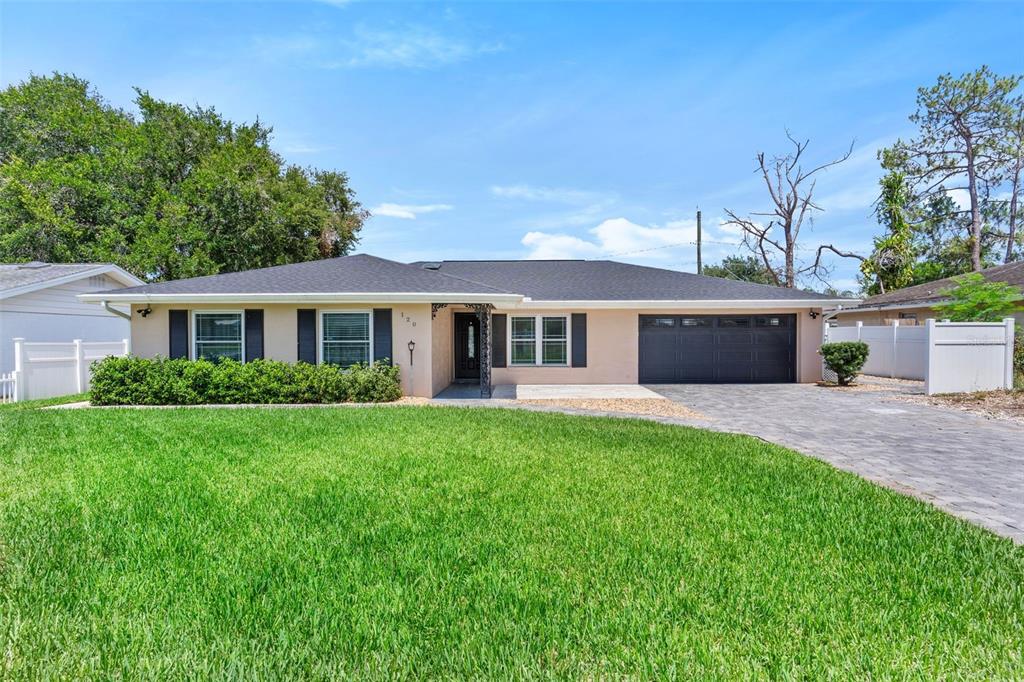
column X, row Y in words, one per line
column 538, row 322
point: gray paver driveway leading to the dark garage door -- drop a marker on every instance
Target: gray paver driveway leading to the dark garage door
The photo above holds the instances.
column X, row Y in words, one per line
column 963, row 463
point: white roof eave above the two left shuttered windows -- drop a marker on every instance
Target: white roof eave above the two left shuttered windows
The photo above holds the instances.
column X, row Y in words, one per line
column 305, row 297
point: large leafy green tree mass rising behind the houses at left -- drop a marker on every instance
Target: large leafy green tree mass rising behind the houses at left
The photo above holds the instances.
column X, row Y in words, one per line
column 169, row 193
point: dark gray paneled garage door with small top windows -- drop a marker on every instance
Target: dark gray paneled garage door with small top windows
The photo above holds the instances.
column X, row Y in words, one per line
column 718, row 349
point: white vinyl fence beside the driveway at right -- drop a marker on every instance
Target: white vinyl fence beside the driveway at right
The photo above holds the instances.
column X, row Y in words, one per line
column 950, row 358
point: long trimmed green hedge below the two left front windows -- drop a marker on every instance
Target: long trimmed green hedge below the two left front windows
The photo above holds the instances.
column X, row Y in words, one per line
column 161, row 381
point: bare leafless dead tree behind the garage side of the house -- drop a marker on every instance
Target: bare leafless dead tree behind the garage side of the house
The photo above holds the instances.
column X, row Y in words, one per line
column 792, row 192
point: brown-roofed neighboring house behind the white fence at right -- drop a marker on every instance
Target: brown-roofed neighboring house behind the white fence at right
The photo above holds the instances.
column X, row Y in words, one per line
column 914, row 305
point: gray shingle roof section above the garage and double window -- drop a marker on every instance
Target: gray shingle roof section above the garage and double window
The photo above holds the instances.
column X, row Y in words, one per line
column 611, row 281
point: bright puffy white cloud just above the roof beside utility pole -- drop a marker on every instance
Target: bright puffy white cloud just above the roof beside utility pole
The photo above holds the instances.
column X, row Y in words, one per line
column 672, row 243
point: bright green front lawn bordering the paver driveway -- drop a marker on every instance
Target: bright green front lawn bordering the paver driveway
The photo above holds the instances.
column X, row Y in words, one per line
column 444, row 542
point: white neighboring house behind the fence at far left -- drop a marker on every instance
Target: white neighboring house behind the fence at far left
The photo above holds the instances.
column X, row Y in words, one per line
column 38, row 304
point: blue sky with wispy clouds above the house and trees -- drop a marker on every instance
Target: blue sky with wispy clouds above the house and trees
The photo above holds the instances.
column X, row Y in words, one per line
column 507, row 131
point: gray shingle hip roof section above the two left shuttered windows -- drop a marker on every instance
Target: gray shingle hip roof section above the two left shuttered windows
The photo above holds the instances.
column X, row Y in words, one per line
column 360, row 274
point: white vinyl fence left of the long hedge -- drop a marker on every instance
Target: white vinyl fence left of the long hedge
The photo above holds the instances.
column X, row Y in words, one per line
column 50, row 370
